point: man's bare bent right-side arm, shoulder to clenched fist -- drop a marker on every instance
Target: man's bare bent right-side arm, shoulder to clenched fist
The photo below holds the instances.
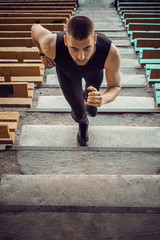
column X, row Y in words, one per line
column 112, row 67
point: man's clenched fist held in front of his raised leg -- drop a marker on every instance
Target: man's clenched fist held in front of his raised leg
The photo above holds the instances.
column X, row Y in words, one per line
column 95, row 97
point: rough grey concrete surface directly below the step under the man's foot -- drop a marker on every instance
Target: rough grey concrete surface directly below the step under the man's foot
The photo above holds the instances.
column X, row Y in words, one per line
column 80, row 162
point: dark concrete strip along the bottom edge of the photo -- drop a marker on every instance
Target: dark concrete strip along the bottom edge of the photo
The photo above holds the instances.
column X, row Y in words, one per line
column 78, row 226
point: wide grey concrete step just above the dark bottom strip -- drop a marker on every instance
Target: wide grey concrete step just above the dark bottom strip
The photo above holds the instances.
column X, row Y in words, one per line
column 80, row 192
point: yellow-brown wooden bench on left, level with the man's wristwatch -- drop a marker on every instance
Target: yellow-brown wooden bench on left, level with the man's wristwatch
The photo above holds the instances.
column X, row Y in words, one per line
column 20, row 55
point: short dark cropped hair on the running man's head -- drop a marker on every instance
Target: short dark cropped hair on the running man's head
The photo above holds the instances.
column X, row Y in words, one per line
column 80, row 27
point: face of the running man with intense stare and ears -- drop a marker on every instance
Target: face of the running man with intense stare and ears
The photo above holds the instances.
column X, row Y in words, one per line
column 81, row 50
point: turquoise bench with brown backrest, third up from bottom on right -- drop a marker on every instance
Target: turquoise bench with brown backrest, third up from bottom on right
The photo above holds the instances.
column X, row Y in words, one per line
column 149, row 56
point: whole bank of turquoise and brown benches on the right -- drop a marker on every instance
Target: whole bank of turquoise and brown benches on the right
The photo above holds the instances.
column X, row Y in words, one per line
column 142, row 21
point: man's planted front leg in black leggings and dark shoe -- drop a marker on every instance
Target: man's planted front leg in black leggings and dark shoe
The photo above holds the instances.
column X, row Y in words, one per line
column 73, row 92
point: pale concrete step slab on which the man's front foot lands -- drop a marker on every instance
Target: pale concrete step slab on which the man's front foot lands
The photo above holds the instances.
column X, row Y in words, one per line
column 101, row 136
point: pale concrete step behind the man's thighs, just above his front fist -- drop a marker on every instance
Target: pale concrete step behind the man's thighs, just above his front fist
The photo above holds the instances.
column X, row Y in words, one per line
column 127, row 80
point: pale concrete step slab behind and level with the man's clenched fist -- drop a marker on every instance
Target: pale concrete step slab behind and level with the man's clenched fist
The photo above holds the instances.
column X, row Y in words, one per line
column 121, row 102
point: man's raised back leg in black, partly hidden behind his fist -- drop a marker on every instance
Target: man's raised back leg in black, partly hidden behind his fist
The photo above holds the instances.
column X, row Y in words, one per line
column 93, row 79
